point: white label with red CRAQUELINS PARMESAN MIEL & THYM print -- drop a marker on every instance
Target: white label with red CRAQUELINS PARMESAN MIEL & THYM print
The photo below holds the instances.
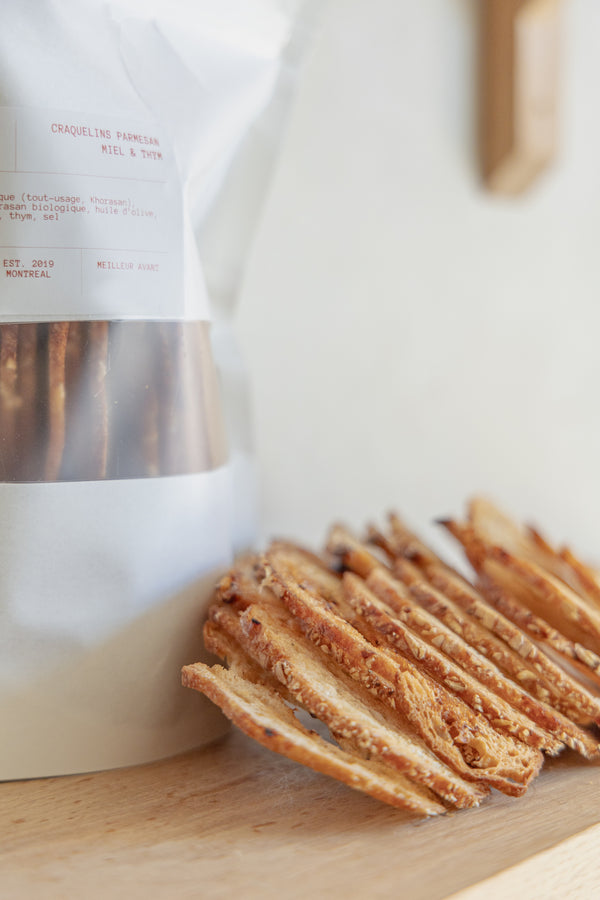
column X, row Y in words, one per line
column 91, row 219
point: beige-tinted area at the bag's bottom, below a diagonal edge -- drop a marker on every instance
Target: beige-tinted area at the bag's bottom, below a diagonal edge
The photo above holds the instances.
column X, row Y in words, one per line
column 89, row 715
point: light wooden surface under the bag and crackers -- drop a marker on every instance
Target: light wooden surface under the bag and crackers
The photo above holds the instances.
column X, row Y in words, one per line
column 236, row 821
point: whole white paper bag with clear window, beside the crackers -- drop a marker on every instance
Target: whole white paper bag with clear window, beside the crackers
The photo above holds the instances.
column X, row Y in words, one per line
column 135, row 144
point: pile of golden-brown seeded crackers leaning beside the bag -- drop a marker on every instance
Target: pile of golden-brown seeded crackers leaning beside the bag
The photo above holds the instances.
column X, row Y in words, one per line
column 431, row 689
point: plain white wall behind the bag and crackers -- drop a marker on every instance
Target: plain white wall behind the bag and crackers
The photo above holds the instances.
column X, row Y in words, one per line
column 410, row 338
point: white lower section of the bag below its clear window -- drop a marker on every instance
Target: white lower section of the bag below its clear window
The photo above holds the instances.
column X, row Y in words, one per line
column 93, row 640
